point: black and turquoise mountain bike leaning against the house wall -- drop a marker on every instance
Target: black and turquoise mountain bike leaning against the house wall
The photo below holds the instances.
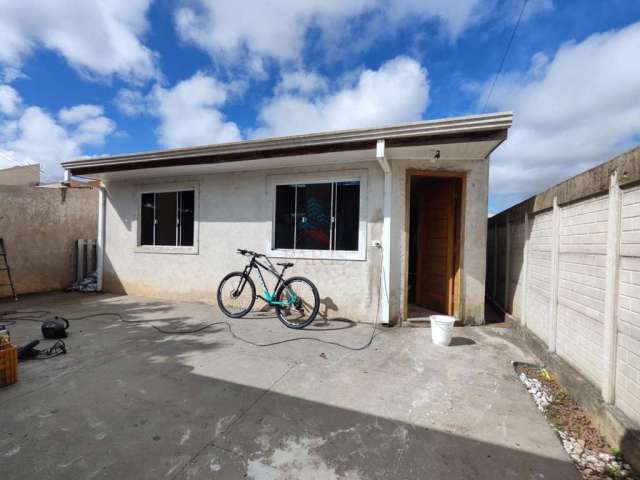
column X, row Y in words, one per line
column 295, row 299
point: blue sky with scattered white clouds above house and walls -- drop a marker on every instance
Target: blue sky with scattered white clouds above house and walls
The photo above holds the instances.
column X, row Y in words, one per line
column 105, row 77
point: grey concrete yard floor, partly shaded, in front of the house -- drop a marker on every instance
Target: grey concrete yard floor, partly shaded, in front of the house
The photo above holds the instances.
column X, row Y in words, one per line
column 129, row 402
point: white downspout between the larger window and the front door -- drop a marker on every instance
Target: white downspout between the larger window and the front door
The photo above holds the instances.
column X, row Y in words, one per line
column 385, row 274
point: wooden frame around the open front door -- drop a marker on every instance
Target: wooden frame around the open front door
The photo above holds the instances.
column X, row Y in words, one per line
column 458, row 260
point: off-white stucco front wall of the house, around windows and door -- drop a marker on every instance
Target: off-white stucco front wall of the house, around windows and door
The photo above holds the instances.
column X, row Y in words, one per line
column 234, row 212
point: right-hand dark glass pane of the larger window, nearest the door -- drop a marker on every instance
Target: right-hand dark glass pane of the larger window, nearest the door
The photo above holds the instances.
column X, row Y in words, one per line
column 347, row 213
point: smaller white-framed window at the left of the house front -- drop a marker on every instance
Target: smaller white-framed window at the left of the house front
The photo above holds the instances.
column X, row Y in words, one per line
column 167, row 218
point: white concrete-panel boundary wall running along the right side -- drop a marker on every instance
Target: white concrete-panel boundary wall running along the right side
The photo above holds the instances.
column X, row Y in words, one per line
column 596, row 291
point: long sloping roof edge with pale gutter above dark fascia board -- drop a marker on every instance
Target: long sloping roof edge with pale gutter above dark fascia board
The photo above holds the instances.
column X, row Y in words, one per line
column 491, row 128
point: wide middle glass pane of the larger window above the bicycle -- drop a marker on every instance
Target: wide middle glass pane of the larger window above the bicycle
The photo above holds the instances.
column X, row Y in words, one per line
column 313, row 214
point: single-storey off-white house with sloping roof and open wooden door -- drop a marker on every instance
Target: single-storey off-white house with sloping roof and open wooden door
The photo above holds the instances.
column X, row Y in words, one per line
column 389, row 223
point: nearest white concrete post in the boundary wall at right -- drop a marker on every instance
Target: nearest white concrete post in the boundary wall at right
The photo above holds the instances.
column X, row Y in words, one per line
column 611, row 290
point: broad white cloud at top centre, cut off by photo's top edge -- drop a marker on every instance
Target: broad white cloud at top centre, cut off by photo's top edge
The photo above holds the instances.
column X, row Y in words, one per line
column 244, row 32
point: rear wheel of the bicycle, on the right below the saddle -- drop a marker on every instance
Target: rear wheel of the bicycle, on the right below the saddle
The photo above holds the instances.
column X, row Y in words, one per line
column 299, row 302
